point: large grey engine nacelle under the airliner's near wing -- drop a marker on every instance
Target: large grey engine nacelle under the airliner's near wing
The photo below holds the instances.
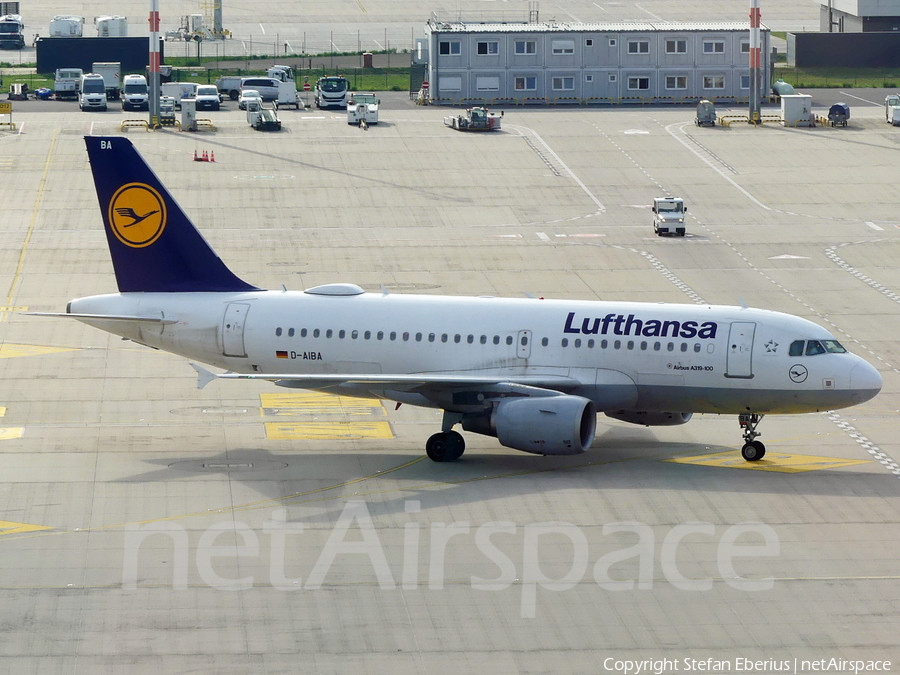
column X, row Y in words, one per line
column 552, row 425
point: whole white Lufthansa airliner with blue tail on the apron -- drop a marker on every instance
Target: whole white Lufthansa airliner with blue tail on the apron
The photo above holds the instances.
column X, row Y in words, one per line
column 534, row 373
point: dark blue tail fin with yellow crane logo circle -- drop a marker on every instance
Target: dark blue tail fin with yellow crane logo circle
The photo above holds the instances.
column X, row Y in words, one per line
column 154, row 245
